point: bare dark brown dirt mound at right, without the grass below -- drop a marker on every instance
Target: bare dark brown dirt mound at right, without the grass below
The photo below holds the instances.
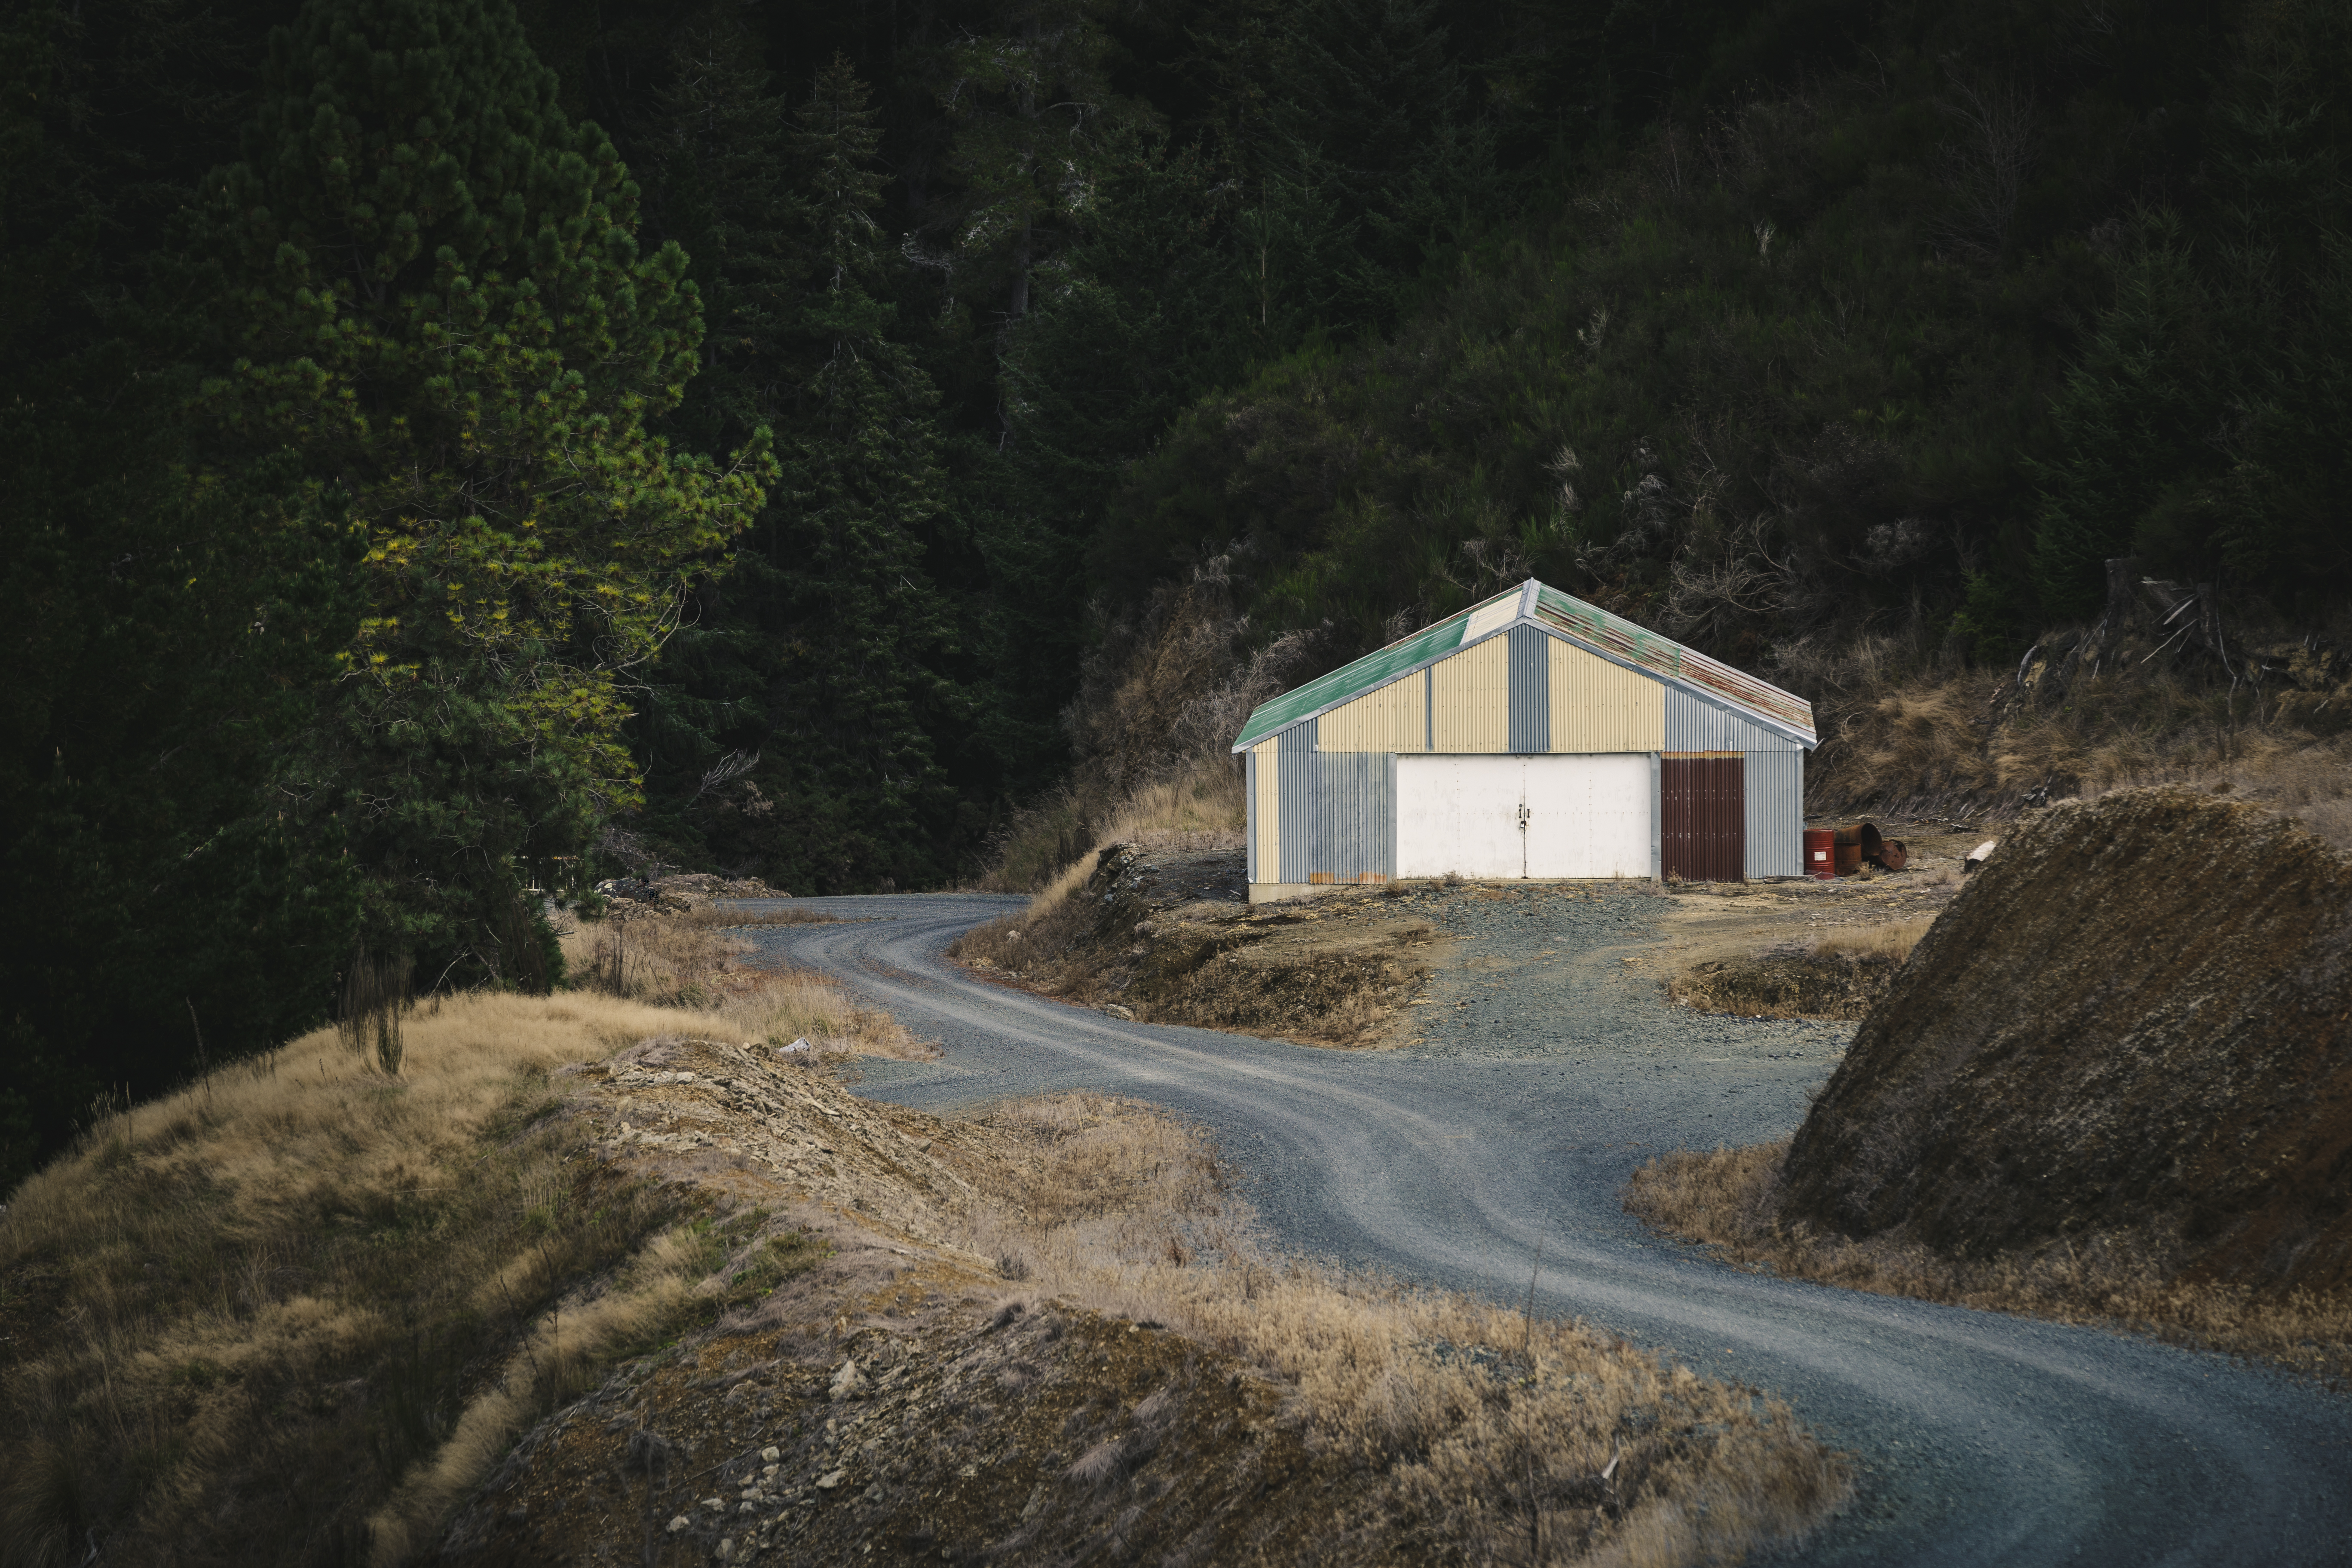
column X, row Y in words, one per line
column 2132, row 1019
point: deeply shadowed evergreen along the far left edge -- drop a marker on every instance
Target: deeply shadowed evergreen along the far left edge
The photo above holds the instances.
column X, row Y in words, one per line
column 175, row 904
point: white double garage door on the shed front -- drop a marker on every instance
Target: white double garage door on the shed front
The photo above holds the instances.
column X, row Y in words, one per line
column 1523, row 817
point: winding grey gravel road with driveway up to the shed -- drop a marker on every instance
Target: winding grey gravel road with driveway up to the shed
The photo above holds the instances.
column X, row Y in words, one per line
column 1549, row 1071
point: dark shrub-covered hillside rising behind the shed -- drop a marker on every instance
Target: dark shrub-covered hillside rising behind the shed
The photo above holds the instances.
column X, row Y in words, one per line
column 1817, row 361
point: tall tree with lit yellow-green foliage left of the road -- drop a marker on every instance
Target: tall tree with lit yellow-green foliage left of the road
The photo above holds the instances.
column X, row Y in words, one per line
column 436, row 300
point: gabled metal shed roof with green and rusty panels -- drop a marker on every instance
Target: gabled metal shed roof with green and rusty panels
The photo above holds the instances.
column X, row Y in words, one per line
column 1563, row 617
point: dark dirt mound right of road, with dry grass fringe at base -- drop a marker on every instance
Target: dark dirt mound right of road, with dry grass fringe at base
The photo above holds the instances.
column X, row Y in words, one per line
column 2111, row 1085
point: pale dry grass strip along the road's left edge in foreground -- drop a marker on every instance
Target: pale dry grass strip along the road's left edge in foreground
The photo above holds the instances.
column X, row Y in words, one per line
column 1464, row 1430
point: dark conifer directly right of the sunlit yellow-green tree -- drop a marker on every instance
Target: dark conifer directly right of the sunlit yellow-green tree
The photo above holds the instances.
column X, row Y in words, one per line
column 820, row 659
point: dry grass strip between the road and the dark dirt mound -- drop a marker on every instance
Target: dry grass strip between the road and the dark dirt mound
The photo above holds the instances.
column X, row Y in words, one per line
column 1728, row 1200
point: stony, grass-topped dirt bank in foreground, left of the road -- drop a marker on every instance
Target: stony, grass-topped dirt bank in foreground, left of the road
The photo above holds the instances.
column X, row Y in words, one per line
column 1048, row 1336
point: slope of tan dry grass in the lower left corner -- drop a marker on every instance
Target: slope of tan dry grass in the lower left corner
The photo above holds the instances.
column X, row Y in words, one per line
column 288, row 1315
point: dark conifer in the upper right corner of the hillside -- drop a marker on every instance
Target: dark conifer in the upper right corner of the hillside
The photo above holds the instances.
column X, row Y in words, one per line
column 2200, row 429
